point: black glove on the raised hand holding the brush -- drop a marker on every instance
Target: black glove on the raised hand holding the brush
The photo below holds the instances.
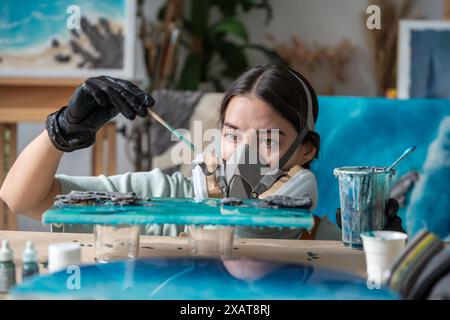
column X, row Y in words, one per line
column 92, row 105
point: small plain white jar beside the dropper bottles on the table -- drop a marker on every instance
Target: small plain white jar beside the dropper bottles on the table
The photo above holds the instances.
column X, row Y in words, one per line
column 62, row 255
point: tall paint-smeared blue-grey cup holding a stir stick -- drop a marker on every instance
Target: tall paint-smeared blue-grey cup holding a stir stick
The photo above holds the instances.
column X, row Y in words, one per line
column 364, row 193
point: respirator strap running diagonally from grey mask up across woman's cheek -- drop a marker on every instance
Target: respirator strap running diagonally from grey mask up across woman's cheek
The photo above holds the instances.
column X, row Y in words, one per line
column 269, row 179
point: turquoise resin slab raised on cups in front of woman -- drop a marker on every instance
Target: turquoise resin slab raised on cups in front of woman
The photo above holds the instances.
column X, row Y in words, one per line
column 183, row 211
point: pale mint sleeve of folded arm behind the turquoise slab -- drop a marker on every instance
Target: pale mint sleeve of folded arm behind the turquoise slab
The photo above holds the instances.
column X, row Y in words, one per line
column 145, row 184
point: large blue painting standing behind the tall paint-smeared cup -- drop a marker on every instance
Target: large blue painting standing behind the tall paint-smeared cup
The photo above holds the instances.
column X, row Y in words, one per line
column 373, row 132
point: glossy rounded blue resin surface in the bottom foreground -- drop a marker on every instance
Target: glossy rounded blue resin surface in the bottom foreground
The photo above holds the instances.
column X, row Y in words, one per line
column 187, row 278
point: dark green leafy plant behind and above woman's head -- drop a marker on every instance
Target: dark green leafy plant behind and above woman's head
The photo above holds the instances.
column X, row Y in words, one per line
column 227, row 39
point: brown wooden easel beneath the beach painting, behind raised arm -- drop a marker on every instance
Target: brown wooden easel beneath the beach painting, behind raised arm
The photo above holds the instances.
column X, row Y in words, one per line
column 31, row 100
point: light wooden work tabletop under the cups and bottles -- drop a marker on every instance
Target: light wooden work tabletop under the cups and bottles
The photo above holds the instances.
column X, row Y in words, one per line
column 329, row 254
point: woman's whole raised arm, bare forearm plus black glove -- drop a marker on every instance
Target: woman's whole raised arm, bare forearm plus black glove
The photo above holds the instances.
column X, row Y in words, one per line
column 30, row 186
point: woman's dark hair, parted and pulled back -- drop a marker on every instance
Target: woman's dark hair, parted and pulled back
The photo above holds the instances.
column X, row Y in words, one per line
column 278, row 86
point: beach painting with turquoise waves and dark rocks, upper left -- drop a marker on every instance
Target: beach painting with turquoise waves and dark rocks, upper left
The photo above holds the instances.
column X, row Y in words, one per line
column 67, row 38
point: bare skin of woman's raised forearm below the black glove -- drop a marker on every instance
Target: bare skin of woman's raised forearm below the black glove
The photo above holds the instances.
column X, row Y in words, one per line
column 30, row 186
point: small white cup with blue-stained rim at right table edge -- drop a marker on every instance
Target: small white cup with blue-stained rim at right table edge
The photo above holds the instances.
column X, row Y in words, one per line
column 382, row 248
